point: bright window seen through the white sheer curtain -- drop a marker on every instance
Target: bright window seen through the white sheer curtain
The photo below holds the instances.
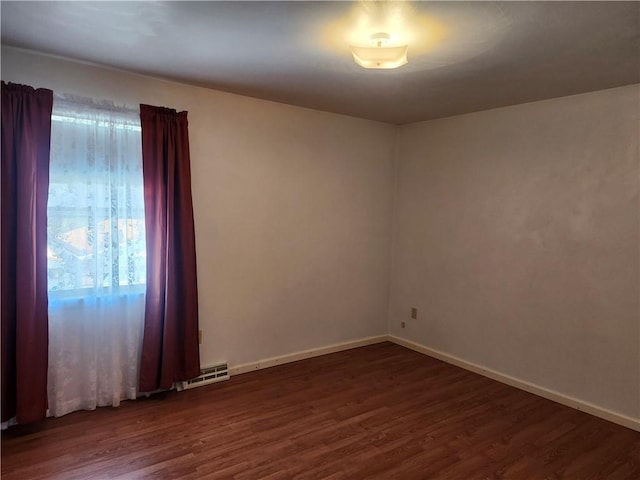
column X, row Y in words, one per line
column 96, row 238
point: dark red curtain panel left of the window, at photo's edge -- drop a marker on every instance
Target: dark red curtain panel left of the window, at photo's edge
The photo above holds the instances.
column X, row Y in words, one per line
column 26, row 136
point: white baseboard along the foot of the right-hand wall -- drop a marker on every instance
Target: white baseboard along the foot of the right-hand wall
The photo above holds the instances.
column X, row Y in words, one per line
column 625, row 421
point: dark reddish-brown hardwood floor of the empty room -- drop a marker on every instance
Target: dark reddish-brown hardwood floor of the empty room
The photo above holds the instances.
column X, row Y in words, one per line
column 380, row 411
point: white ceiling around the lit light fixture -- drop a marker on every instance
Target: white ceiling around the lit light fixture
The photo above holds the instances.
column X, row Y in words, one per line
column 463, row 56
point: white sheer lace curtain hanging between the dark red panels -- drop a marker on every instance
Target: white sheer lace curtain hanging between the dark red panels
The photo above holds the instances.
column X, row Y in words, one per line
column 96, row 255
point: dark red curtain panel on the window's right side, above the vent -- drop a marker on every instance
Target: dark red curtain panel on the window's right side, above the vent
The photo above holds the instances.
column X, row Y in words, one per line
column 170, row 350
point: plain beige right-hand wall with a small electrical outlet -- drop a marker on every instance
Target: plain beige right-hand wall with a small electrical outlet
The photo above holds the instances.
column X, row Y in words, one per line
column 516, row 236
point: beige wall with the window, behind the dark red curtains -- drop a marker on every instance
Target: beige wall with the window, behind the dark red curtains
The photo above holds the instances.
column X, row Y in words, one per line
column 292, row 211
